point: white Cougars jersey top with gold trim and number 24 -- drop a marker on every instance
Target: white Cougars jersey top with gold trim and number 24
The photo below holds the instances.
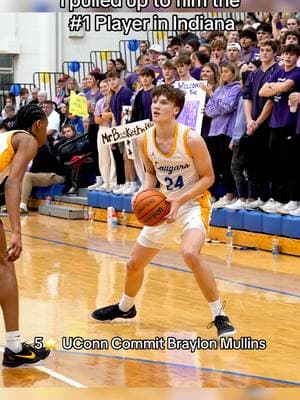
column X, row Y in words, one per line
column 176, row 170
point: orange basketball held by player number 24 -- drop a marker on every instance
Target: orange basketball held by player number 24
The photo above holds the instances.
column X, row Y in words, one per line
column 150, row 207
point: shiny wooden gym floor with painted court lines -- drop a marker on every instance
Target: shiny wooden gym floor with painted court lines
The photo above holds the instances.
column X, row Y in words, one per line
column 69, row 268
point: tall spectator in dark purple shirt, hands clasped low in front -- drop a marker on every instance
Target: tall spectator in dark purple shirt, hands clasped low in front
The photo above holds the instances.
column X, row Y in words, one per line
column 258, row 111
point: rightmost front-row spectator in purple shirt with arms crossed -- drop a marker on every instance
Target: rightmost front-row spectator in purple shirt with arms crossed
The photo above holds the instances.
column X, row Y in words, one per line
column 284, row 197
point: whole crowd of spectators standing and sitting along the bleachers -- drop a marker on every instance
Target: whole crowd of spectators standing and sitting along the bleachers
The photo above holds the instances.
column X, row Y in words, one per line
column 251, row 118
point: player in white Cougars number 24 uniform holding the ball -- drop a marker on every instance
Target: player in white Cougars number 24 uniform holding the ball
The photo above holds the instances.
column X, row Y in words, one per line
column 177, row 158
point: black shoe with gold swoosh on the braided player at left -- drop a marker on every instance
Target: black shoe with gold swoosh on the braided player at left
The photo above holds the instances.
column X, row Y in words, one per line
column 28, row 355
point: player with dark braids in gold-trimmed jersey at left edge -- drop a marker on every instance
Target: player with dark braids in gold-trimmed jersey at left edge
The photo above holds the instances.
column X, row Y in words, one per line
column 17, row 149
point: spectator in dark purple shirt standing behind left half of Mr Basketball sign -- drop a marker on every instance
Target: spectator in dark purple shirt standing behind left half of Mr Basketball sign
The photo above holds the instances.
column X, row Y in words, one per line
column 121, row 97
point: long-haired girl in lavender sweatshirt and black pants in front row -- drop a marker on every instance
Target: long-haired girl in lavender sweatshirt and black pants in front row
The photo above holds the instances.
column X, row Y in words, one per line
column 221, row 107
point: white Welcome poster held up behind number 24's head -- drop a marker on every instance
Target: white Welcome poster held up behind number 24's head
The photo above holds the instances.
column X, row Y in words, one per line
column 192, row 113
